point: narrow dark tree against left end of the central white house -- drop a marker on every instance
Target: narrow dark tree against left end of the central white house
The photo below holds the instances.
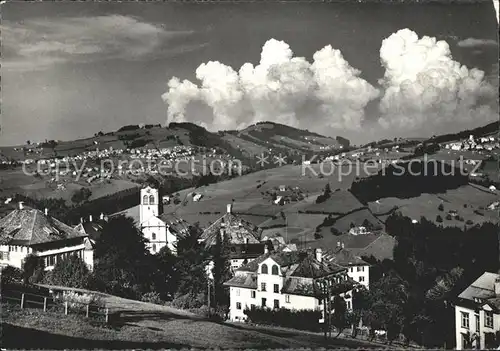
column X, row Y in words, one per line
column 221, row 270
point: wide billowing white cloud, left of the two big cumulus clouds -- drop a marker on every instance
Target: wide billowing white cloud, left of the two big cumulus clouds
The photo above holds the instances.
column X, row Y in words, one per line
column 281, row 88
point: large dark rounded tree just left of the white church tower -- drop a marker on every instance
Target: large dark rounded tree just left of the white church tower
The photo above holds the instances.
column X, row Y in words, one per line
column 122, row 261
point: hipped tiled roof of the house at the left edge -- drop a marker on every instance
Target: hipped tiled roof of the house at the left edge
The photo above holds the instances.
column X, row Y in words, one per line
column 29, row 226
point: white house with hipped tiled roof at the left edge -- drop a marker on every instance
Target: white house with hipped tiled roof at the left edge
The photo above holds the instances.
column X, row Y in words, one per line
column 27, row 231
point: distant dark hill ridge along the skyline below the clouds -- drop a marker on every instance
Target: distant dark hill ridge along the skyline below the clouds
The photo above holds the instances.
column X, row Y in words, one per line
column 242, row 144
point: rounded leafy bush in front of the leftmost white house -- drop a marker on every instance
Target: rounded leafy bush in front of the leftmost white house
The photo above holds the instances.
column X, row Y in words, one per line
column 71, row 272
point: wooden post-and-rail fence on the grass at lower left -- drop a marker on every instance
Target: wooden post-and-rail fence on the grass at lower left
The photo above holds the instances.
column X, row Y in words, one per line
column 26, row 299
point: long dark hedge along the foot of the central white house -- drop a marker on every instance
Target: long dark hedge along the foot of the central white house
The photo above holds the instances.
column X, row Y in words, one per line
column 303, row 319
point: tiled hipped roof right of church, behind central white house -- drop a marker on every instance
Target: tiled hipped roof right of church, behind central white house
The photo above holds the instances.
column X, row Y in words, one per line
column 237, row 229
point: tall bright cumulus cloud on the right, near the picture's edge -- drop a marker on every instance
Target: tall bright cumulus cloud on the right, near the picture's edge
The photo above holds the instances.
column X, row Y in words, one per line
column 424, row 86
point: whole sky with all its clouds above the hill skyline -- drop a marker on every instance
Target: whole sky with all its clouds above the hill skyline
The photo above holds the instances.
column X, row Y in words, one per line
column 70, row 70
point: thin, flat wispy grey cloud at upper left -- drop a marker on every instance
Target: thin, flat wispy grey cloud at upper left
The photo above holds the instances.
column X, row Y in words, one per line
column 38, row 43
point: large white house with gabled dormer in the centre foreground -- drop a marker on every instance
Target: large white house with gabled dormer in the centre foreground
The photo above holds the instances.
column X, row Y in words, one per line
column 281, row 279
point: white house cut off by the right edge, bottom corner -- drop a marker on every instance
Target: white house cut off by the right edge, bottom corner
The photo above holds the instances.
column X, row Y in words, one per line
column 477, row 314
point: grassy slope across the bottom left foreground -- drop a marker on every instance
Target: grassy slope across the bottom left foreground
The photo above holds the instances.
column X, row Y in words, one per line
column 143, row 325
